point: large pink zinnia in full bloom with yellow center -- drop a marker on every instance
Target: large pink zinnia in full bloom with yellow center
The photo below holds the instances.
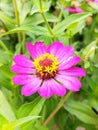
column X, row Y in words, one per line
column 50, row 71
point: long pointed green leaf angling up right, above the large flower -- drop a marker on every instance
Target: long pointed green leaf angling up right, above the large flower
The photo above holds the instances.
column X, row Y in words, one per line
column 60, row 27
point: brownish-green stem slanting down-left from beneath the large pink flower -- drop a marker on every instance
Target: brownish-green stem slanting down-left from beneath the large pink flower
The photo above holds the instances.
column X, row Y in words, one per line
column 57, row 108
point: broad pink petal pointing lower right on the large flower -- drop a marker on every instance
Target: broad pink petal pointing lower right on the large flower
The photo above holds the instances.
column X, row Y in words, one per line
column 71, row 83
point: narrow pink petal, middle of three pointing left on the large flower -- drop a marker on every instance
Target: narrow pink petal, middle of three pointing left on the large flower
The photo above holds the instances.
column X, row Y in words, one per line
column 23, row 70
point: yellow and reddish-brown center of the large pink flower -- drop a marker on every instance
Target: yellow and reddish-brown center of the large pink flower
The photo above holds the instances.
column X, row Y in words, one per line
column 46, row 66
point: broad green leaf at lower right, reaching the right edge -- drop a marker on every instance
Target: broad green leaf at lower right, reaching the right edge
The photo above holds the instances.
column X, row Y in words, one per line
column 82, row 111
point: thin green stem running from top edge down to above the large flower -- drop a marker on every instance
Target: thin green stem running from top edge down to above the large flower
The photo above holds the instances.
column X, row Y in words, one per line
column 45, row 20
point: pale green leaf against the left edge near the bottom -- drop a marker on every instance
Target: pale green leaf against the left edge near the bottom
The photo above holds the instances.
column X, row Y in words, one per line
column 5, row 108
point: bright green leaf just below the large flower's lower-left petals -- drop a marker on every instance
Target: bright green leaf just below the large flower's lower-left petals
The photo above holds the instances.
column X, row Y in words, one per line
column 32, row 108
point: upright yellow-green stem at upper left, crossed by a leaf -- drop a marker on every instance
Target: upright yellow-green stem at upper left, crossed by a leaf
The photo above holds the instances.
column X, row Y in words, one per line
column 17, row 18
